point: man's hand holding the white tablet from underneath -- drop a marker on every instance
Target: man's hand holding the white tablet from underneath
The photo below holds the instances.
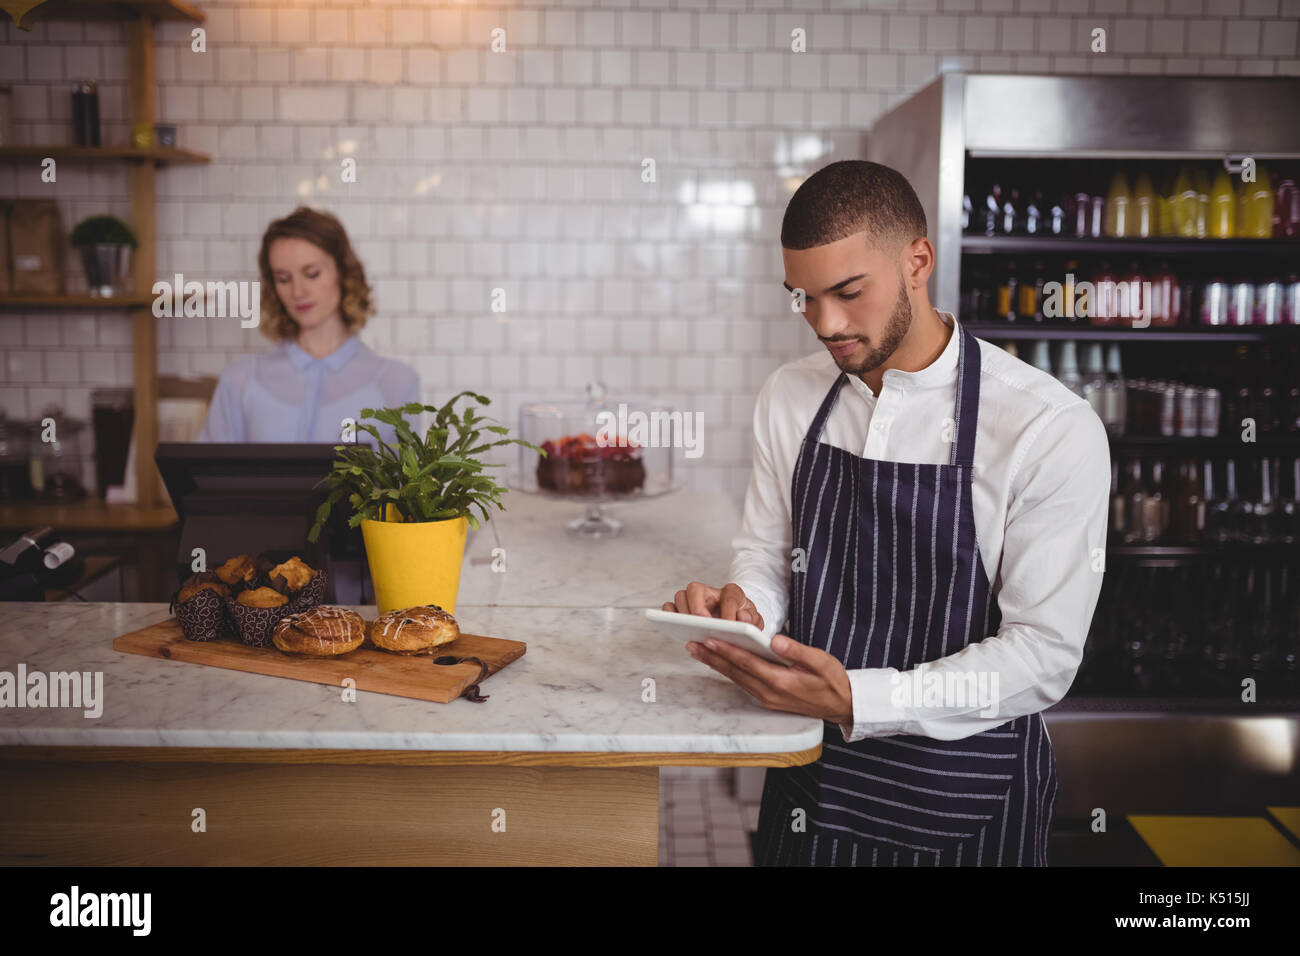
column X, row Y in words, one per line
column 816, row 686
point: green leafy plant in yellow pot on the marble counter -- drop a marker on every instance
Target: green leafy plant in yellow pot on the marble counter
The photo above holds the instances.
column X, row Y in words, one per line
column 415, row 500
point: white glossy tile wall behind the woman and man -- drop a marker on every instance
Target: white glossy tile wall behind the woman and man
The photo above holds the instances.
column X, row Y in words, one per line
column 523, row 171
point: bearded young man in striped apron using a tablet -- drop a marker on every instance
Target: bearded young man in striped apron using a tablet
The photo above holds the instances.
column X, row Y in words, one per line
column 931, row 514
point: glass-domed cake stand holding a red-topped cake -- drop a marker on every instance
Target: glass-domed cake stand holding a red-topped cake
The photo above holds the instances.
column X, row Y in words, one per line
column 599, row 452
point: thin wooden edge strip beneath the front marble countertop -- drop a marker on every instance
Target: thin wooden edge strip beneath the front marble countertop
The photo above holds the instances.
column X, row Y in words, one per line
column 570, row 759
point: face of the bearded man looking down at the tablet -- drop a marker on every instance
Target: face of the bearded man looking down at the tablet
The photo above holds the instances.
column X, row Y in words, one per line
column 856, row 300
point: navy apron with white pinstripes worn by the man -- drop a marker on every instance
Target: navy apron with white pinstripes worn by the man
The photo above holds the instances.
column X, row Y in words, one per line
column 894, row 578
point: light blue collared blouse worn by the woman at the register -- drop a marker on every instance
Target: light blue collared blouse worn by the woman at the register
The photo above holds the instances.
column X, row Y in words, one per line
column 287, row 396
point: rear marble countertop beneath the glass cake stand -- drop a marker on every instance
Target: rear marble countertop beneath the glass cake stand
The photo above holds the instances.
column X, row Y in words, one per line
column 666, row 543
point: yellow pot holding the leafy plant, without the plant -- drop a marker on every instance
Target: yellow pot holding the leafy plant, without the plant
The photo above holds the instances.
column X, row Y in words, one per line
column 415, row 563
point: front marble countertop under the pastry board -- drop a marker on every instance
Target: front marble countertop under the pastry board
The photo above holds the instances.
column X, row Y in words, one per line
column 578, row 689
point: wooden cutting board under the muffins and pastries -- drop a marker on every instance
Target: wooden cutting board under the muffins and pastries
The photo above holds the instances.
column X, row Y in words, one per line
column 372, row 671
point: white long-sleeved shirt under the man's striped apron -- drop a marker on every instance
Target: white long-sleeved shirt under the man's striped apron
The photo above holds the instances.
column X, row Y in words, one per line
column 1041, row 490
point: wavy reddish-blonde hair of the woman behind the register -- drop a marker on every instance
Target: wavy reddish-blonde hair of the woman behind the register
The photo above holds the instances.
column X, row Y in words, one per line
column 327, row 233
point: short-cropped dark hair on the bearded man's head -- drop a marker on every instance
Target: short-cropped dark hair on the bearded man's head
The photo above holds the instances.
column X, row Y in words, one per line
column 852, row 197
